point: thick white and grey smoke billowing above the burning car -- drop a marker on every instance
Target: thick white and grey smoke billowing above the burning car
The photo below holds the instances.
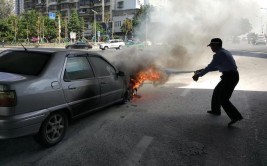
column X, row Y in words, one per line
column 185, row 27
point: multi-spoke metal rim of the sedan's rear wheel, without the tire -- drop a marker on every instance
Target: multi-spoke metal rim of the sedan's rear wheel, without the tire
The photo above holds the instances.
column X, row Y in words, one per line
column 55, row 127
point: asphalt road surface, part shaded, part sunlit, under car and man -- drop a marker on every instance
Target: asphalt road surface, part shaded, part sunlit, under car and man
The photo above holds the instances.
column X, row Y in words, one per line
column 165, row 125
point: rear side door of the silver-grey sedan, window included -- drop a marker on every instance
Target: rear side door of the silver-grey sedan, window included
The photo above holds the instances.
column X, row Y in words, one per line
column 81, row 87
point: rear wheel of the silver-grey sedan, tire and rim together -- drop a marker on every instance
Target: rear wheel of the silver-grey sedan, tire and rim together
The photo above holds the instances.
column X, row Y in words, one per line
column 53, row 129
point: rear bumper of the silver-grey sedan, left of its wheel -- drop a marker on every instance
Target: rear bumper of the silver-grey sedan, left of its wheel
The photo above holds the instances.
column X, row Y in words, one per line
column 21, row 125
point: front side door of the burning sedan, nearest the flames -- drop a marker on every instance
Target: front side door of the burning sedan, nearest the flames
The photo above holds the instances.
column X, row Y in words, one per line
column 111, row 85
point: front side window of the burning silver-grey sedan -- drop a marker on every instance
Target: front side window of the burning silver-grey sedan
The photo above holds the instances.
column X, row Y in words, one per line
column 102, row 67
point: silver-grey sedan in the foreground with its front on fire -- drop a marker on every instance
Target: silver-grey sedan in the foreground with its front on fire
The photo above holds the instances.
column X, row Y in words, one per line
column 42, row 89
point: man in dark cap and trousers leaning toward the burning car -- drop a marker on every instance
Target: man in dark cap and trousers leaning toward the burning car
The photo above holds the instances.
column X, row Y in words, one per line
column 225, row 63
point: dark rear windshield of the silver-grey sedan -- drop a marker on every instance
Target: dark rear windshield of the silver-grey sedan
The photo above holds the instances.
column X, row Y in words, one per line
column 23, row 62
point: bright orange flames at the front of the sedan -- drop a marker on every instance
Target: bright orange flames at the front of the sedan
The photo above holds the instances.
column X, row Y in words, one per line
column 151, row 74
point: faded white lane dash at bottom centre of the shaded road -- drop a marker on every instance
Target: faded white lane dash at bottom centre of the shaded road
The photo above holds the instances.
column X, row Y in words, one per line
column 138, row 151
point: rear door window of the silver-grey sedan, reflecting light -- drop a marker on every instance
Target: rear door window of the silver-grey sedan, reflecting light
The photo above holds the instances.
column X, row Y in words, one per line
column 77, row 68
